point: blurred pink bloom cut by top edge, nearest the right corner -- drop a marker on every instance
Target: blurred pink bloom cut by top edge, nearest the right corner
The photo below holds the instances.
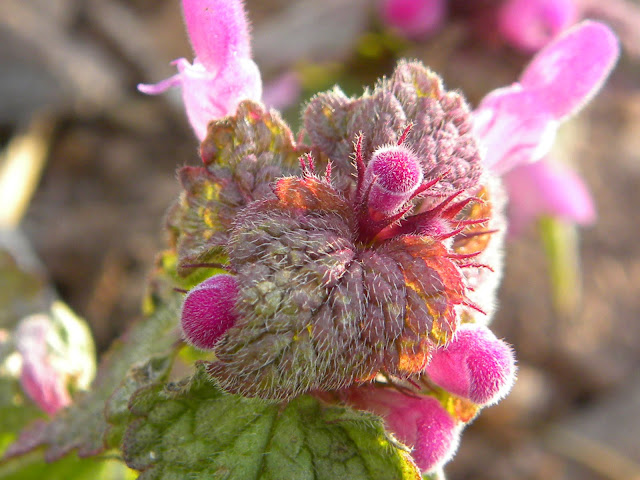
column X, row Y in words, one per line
column 530, row 24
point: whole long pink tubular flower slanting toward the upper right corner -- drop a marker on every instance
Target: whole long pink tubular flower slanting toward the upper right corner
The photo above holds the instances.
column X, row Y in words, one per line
column 517, row 124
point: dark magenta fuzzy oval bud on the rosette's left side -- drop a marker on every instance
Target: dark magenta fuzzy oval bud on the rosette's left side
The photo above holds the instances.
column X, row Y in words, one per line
column 209, row 311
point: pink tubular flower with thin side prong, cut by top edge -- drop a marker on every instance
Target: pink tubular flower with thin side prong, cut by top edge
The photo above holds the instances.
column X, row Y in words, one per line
column 222, row 73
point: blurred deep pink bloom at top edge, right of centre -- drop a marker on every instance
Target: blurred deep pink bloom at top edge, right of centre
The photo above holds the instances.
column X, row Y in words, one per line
column 413, row 18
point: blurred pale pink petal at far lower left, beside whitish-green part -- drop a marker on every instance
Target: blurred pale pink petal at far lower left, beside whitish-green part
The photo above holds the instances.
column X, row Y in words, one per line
column 39, row 378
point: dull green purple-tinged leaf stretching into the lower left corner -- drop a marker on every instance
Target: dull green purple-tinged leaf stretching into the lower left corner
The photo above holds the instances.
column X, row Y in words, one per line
column 83, row 425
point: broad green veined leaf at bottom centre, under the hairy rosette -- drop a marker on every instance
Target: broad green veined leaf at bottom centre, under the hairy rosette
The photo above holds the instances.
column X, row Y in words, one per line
column 193, row 429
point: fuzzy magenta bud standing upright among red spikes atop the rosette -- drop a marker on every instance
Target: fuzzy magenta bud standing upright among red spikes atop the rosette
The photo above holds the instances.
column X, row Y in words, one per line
column 393, row 175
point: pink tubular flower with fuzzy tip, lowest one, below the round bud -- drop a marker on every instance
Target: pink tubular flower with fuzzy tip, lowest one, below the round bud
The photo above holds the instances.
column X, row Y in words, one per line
column 419, row 422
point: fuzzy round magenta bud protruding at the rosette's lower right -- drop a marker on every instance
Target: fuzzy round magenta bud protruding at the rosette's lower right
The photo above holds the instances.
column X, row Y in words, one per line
column 474, row 365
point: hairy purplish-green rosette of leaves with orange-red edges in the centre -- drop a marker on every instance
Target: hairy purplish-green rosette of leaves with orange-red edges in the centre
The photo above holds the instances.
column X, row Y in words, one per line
column 332, row 289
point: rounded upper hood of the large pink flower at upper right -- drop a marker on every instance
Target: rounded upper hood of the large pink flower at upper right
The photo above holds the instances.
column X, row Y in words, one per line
column 571, row 69
